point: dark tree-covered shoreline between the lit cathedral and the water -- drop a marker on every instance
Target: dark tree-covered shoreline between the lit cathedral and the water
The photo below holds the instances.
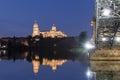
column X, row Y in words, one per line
column 38, row 43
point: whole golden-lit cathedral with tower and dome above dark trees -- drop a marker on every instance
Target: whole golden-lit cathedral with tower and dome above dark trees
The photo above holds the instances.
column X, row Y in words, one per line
column 51, row 33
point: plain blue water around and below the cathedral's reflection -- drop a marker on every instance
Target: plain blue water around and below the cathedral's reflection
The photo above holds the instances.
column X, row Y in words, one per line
column 23, row 70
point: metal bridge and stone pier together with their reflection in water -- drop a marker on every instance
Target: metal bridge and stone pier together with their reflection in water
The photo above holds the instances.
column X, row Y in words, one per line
column 105, row 60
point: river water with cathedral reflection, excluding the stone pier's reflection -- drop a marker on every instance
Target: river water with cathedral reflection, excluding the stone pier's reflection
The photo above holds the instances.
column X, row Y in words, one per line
column 36, row 66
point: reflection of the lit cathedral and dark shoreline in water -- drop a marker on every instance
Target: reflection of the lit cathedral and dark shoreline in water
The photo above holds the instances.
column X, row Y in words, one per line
column 38, row 59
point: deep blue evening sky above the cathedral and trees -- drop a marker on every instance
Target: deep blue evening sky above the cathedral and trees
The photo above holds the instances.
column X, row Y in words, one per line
column 70, row 16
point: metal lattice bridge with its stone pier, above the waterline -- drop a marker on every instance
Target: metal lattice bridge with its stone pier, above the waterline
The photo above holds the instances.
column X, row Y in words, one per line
column 106, row 25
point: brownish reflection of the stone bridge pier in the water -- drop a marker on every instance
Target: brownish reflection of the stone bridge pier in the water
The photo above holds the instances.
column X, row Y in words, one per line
column 106, row 70
